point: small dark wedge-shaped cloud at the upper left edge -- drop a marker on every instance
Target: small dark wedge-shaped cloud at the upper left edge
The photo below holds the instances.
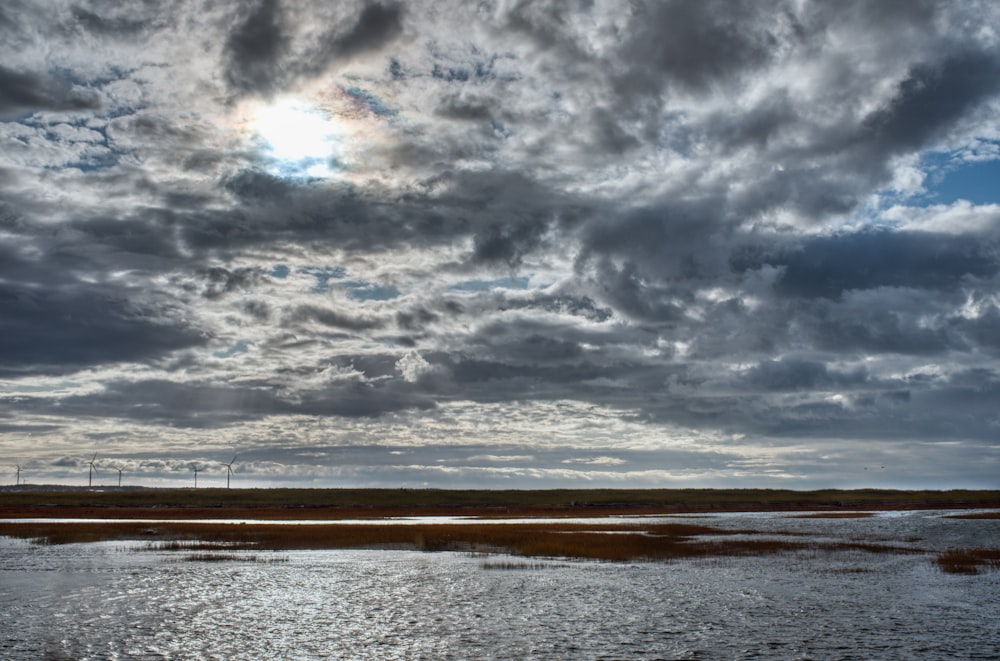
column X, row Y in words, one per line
column 25, row 92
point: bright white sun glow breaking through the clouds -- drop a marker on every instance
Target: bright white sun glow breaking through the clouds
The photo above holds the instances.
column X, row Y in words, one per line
column 300, row 138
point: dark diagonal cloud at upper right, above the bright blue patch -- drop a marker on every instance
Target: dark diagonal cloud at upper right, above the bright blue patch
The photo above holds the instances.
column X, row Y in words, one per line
column 843, row 162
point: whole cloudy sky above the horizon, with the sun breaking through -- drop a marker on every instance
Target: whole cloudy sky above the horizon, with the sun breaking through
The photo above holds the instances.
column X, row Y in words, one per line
column 537, row 244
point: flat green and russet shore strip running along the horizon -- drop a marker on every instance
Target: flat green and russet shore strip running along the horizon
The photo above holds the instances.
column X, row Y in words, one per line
column 337, row 504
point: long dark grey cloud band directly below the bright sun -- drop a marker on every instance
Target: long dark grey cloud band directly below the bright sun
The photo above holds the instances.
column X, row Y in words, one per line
column 507, row 216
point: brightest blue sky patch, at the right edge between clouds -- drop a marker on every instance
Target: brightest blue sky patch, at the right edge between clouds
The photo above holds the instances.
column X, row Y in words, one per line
column 951, row 178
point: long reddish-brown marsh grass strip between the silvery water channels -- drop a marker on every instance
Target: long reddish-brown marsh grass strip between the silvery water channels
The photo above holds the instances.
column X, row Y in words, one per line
column 637, row 542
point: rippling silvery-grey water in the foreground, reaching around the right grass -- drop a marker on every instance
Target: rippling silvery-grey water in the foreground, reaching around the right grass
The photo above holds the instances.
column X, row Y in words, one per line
column 124, row 601
